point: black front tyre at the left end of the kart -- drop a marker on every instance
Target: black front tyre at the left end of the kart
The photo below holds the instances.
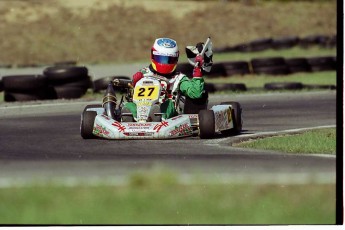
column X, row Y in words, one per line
column 87, row 122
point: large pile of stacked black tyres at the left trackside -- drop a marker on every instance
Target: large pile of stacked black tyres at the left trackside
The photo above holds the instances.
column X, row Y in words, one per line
column 56, row 82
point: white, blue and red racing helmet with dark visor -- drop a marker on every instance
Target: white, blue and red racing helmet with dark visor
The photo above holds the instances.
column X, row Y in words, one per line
column 164, row 55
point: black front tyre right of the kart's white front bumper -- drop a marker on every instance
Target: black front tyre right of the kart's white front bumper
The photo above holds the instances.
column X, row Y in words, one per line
column 206, row 124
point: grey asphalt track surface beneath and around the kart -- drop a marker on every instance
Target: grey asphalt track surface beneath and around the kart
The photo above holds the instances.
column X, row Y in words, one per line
column 41, row 142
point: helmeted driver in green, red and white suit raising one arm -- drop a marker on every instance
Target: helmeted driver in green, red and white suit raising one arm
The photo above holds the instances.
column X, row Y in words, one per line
column 164, row 59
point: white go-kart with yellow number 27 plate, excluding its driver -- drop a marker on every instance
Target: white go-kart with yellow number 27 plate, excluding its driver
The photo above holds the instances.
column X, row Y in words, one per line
column 110, row 120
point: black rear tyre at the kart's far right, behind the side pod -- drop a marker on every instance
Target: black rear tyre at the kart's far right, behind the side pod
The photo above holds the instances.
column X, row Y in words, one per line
column 236, row 114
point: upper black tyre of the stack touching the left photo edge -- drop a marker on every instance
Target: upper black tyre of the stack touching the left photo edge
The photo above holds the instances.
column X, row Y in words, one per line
column 24, row 82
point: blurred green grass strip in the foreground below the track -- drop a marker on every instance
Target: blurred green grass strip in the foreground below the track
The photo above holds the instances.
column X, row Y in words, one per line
column 151, row 203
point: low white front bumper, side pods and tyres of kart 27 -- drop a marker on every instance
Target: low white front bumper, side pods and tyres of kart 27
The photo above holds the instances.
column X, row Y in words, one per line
column 224, row 118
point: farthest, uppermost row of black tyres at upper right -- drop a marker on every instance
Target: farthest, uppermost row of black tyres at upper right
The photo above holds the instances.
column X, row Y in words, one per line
column 286, row 42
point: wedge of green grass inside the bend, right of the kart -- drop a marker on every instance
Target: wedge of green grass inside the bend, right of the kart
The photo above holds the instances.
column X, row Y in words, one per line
column 314, row 141
